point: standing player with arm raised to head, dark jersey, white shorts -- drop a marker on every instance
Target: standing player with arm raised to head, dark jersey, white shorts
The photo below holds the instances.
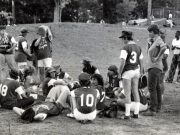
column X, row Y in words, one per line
column 44, row 52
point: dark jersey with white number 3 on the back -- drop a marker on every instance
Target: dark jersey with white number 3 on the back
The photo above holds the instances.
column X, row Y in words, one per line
column 133, row 54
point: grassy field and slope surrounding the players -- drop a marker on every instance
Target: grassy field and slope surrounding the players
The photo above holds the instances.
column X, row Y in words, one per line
column 72, row 42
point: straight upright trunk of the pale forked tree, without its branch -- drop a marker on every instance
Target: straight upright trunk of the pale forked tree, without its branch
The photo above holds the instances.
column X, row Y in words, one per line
column 57, row 11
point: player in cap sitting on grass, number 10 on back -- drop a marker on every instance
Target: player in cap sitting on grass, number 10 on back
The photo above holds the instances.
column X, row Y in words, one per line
column 84, row 100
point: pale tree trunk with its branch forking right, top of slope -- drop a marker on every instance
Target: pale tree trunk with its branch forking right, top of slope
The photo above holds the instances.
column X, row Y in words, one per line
column 59, row 5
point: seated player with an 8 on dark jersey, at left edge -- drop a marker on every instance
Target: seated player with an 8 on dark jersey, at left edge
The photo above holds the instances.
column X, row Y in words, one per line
column 12, row 94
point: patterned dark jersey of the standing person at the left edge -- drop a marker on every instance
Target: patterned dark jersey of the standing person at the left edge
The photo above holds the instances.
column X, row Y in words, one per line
column 5, row 43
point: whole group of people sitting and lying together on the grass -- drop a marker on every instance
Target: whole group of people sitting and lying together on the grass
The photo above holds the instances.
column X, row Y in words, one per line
column 85, row 99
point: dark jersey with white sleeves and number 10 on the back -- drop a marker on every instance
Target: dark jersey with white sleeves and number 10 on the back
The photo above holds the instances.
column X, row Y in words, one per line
column 86, row 99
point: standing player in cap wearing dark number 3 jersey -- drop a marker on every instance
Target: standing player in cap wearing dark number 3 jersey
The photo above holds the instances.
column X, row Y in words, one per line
column 130, row 69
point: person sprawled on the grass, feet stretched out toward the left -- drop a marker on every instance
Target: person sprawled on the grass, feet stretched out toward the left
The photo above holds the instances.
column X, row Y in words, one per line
column 53, row 105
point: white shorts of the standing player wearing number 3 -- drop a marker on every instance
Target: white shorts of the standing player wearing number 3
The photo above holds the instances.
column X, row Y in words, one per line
column 131, row 74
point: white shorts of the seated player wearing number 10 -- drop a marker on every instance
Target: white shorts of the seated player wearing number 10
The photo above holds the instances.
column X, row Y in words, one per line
column 80, row 116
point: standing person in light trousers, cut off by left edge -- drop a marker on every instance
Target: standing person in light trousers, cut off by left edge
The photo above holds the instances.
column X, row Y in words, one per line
column 7, row 45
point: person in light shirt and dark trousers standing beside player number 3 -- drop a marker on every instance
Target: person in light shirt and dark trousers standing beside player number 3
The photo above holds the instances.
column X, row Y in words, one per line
column 155, row 67
